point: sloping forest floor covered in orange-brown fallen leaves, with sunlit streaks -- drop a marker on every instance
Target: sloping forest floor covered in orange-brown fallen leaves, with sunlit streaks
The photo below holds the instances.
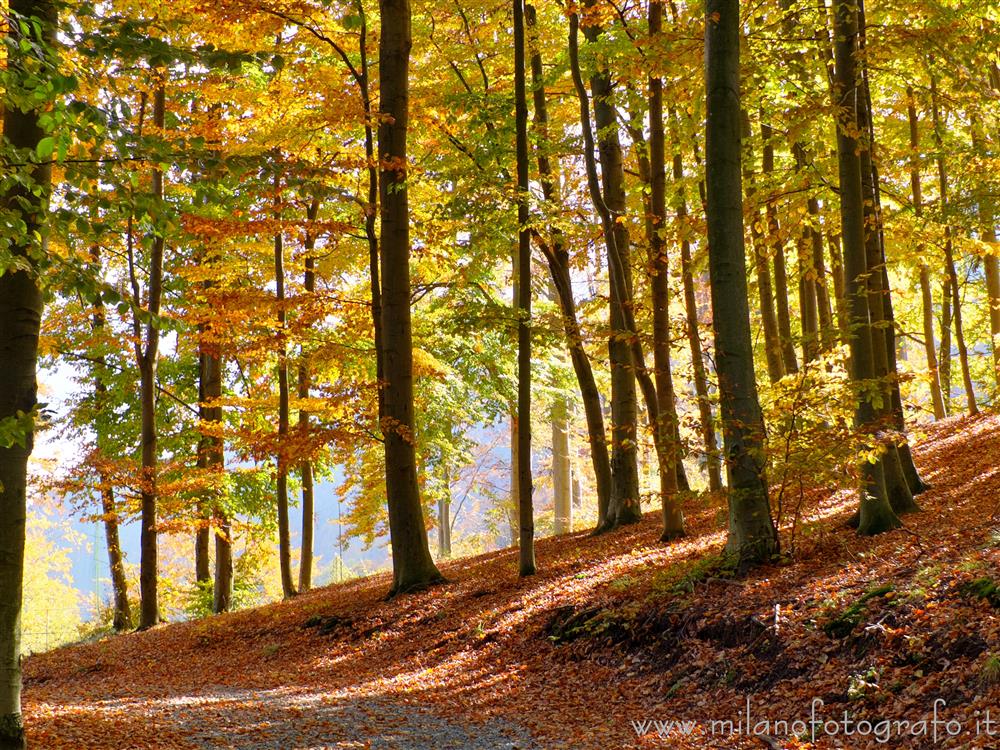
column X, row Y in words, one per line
column 614, row 633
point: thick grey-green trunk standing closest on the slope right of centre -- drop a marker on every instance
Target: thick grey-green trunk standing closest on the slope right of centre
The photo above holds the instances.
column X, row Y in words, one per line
column 752, row 534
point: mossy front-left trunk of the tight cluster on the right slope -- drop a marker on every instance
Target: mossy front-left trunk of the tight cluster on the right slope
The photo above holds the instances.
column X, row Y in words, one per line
column 875, row 513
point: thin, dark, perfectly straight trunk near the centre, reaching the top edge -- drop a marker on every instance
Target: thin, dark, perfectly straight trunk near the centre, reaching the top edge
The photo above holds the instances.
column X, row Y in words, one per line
column 526, row 511
